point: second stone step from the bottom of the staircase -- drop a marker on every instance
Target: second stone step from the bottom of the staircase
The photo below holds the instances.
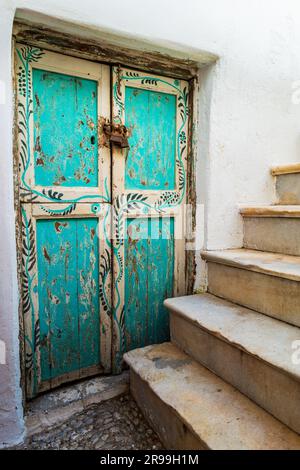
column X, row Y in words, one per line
column 249, row 350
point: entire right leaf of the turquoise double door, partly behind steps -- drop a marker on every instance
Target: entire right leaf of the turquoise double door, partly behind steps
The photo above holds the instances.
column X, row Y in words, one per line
column 149, row 192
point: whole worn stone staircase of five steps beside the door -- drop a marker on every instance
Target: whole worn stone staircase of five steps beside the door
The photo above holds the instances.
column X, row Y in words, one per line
column 227, row 379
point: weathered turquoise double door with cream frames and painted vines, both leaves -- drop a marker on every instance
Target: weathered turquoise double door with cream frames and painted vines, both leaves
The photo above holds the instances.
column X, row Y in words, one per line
column 102, row 242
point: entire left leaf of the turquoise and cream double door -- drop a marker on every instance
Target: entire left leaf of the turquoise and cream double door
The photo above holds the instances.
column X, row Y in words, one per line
column 64, row 193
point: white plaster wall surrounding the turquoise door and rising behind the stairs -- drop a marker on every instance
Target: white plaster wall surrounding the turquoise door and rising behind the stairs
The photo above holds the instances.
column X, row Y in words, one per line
column 248, row 120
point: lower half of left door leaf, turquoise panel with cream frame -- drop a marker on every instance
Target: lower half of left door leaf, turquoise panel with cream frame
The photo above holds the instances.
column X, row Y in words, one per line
column 65, row 294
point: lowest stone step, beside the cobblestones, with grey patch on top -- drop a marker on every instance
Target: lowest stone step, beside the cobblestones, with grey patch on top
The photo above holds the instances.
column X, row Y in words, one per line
column 191, row 408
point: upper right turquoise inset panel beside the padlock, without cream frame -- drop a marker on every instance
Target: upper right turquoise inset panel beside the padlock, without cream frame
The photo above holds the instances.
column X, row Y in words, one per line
column 151, row 116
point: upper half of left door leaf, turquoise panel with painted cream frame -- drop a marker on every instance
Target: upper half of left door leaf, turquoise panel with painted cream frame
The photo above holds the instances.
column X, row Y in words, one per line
column 60, row 102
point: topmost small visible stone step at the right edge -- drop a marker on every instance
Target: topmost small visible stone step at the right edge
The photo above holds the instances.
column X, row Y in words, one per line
column 287, row 183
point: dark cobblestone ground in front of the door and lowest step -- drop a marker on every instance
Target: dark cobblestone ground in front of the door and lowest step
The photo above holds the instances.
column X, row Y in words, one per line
column 113, row 424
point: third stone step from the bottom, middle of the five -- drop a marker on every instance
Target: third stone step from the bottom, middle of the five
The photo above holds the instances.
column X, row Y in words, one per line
column 265, row 282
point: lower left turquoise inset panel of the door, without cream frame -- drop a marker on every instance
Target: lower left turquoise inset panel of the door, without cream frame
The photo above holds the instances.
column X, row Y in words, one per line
column 68, row 295
